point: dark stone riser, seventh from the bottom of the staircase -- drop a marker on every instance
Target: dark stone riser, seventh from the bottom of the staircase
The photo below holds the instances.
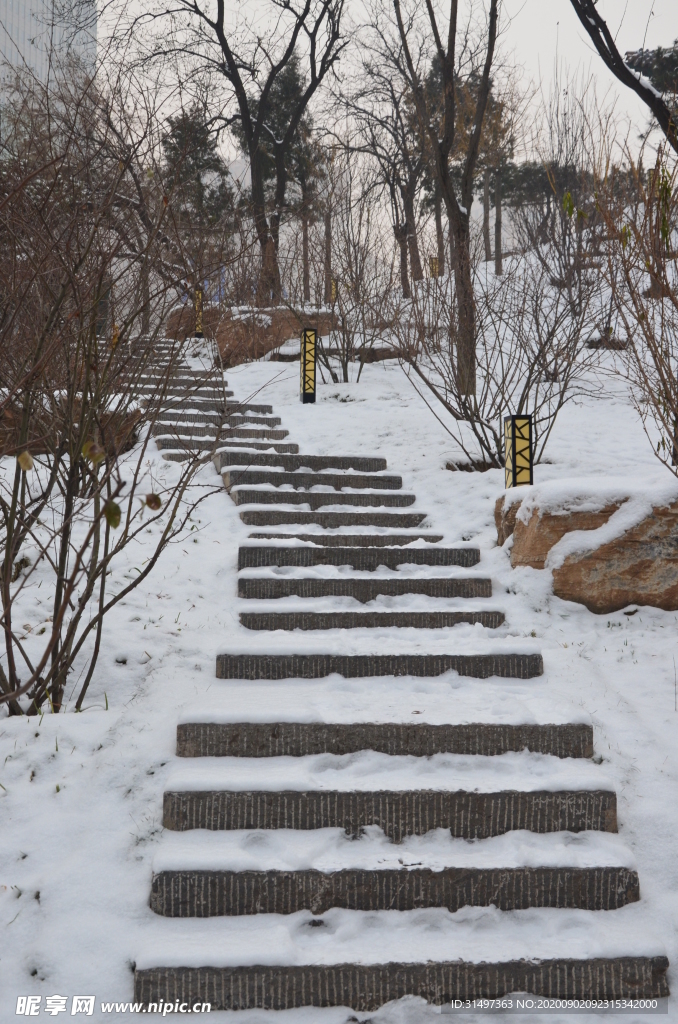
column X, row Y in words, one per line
column 271, row 588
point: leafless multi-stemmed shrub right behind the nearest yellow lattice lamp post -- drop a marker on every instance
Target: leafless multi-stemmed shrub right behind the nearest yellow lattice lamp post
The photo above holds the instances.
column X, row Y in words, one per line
column 531, row 356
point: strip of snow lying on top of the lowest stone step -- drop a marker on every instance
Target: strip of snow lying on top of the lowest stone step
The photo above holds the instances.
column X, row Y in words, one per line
column 474, row 934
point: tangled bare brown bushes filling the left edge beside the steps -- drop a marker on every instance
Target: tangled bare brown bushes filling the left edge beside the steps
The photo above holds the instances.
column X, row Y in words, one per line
column 81, row 385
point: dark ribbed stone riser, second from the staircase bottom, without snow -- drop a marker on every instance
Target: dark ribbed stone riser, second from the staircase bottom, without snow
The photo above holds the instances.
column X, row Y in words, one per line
column 192, row 893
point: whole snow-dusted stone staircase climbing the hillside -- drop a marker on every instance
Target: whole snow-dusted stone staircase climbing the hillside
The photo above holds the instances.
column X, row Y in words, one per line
column 511, row 818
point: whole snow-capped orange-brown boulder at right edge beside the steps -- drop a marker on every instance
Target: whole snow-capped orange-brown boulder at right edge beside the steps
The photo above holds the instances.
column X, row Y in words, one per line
column 606, row 551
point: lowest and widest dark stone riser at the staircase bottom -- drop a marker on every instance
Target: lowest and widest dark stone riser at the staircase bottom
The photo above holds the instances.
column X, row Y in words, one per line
column 366, row 988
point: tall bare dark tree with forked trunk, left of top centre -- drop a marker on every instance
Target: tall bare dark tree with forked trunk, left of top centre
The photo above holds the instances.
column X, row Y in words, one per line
column 253, row 66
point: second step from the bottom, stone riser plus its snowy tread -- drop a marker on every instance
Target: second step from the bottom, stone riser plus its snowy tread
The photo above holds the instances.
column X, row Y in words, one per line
column 211, row 874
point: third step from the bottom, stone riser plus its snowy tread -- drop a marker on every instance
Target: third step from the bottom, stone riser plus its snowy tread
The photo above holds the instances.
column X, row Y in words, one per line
column 473, row 796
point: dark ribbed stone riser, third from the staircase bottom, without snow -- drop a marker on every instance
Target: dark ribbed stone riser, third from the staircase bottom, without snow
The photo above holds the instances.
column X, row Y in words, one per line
column 416, row 813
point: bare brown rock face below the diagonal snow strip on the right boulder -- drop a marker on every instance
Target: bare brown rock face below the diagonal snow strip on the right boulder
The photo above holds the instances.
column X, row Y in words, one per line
column 641, row 568
